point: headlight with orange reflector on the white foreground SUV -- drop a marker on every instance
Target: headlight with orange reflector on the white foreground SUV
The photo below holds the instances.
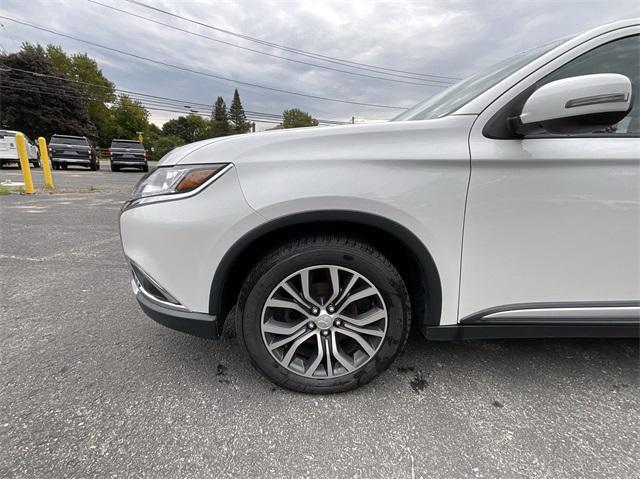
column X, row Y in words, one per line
column 175, row 182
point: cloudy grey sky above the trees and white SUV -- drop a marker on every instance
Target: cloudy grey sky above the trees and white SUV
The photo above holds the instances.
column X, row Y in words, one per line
column 442, row 38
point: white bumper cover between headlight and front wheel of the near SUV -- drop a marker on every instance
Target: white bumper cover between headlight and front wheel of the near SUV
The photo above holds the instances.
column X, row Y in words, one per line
column 180, row 243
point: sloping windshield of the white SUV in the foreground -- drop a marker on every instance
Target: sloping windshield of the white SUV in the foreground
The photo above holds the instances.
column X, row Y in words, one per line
column 461, row 93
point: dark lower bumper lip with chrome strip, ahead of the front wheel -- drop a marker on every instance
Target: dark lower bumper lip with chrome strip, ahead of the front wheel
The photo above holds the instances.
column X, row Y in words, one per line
column 196, row 324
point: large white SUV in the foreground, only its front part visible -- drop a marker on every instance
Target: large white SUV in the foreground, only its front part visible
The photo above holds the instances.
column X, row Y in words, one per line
column 506, row 206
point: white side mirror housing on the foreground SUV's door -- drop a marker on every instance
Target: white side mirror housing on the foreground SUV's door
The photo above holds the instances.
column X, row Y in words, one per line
column 574, row 105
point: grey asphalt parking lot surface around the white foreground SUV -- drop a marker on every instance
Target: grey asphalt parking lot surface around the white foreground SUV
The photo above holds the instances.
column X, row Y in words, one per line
column 92, row 387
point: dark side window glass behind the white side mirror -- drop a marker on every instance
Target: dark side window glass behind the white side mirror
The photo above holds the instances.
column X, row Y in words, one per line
column 619, row 56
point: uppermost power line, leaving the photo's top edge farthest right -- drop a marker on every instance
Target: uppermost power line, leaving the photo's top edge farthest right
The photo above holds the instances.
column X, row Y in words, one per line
column 326, row 58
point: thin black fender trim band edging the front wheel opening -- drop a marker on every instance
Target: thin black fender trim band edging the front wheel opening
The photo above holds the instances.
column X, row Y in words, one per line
column 418, row 250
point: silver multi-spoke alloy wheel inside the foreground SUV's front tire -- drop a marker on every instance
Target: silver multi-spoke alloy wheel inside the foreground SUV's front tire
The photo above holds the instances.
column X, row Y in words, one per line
column 324, row 321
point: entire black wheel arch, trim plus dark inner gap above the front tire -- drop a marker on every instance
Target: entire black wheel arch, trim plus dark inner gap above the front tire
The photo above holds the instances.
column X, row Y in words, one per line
column 399, row 244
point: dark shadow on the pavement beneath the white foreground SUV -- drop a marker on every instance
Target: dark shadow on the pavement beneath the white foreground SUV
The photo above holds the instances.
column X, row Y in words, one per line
column 517, row 365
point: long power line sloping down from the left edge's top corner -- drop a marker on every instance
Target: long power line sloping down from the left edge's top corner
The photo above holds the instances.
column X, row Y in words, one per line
column 198, row 72
